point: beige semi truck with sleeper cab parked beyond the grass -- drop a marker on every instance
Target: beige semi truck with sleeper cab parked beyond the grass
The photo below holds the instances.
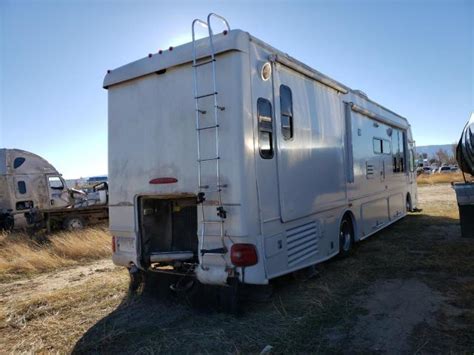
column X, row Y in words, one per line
column 36, row 195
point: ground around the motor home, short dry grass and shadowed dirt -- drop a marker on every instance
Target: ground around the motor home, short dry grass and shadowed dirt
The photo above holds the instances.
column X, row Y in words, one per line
column 407, row 289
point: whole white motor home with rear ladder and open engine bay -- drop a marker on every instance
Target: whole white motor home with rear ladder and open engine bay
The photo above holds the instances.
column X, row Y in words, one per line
column 230, row 161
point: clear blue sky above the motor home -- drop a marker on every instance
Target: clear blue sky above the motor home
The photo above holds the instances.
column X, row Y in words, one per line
column 414, row 57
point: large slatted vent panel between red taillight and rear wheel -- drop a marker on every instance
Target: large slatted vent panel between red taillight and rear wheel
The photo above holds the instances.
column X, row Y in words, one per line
column 302, row 242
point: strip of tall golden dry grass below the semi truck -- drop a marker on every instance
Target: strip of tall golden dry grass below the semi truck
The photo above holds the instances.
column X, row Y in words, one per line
column 21, row 254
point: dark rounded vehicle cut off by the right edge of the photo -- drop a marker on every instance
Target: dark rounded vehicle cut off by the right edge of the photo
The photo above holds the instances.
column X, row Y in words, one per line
column 465, row 190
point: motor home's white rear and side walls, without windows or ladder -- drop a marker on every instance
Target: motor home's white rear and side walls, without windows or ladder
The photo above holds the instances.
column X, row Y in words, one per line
column 291, row 205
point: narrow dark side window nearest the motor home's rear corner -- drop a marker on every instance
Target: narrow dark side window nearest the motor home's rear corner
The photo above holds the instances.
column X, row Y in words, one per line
column 265, row 128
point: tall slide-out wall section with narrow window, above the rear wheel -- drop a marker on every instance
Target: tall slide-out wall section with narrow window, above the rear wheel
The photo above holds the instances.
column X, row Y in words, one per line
column 309, row 132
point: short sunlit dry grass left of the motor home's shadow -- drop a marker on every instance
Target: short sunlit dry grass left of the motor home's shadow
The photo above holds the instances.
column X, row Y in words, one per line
column 52, row 321
